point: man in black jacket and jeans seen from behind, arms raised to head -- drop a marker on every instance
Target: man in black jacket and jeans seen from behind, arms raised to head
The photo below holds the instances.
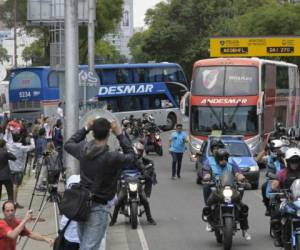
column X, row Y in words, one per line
column 99, row 171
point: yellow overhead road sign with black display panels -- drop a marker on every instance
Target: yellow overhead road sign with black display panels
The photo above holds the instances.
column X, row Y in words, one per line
column 254, row 46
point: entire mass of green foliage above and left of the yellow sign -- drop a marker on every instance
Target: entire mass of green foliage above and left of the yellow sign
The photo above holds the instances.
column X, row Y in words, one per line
column 179, row 30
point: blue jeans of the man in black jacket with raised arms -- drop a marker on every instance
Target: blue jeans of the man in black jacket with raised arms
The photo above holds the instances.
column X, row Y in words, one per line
column 92, row 231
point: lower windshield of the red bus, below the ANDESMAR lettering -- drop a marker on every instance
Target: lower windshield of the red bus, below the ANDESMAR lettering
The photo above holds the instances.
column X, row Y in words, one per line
column 230, row 120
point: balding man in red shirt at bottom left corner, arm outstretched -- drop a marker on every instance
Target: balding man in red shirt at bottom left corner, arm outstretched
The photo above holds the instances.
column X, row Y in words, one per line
column 11, row 228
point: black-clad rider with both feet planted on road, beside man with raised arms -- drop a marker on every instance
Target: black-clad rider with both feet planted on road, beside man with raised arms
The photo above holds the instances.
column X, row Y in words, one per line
column 142, row 165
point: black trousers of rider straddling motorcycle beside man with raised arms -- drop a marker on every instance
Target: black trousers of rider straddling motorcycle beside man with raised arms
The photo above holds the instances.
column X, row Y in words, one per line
column 121, row 200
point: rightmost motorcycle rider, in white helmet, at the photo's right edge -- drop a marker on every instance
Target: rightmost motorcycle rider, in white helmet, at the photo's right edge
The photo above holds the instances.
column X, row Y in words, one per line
column 284, row 180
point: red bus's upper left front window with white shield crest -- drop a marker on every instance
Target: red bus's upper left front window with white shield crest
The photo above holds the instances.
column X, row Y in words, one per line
column 209, row 81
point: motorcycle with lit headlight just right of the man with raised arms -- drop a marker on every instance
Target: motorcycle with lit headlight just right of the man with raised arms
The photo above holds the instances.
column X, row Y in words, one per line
column 132, row 182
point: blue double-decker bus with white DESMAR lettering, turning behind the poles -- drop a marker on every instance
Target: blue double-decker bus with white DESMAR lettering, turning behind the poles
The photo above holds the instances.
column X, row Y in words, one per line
column 127, row 89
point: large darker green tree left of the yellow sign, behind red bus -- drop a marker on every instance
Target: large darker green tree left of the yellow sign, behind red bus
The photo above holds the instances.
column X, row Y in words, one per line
column 179, row 30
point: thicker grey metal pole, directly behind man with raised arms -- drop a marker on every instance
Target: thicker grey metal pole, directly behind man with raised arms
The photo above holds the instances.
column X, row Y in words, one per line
column 71, row 79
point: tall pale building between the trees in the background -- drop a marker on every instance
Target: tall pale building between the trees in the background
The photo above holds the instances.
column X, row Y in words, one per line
column 122, row 36
